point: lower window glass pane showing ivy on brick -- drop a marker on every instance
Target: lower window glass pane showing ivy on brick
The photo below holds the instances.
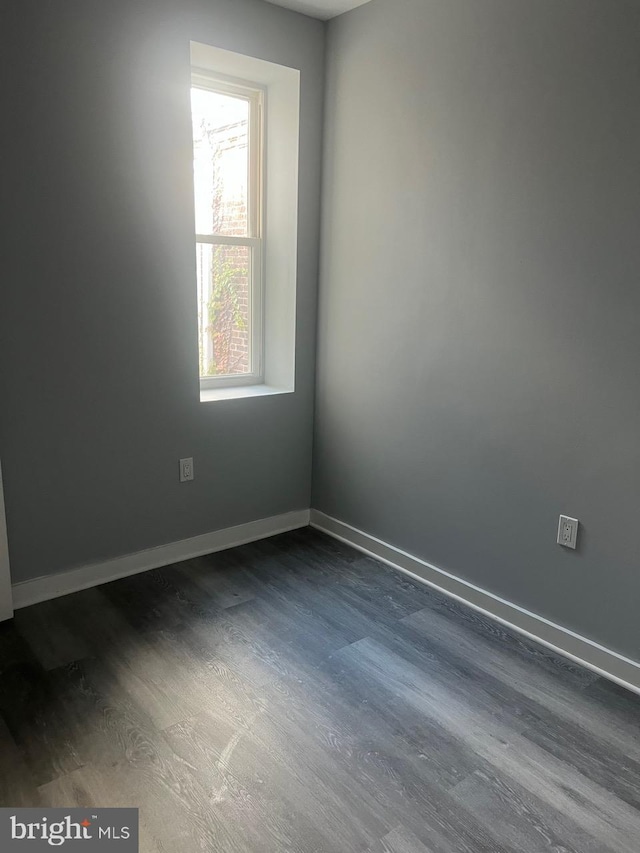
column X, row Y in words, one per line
column 224, row 310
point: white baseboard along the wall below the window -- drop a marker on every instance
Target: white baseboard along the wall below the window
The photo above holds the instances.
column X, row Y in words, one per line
column 53, row 586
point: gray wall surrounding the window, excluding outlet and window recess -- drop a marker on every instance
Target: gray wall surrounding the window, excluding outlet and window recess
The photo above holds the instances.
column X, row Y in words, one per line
column 98, row 385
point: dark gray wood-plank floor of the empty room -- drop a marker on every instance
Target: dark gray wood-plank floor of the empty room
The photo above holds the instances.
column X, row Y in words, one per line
column 293, row 695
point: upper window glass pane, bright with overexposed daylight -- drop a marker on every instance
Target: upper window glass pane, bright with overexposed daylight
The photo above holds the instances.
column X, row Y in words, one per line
column 220, row 162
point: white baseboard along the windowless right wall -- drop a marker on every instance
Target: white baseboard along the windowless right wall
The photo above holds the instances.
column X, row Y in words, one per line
column 588, row 653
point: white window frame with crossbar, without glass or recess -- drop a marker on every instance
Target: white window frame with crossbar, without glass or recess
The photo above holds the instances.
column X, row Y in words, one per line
column 255, row 95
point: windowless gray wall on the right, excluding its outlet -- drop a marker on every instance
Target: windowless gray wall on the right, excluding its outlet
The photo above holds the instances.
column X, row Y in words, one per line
column 480, row 295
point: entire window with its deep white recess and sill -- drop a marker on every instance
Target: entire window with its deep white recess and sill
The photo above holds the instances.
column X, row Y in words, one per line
column 245, row 114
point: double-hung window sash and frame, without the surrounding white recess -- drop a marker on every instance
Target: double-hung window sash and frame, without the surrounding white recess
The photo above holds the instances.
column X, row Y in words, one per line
column 227, row 167
